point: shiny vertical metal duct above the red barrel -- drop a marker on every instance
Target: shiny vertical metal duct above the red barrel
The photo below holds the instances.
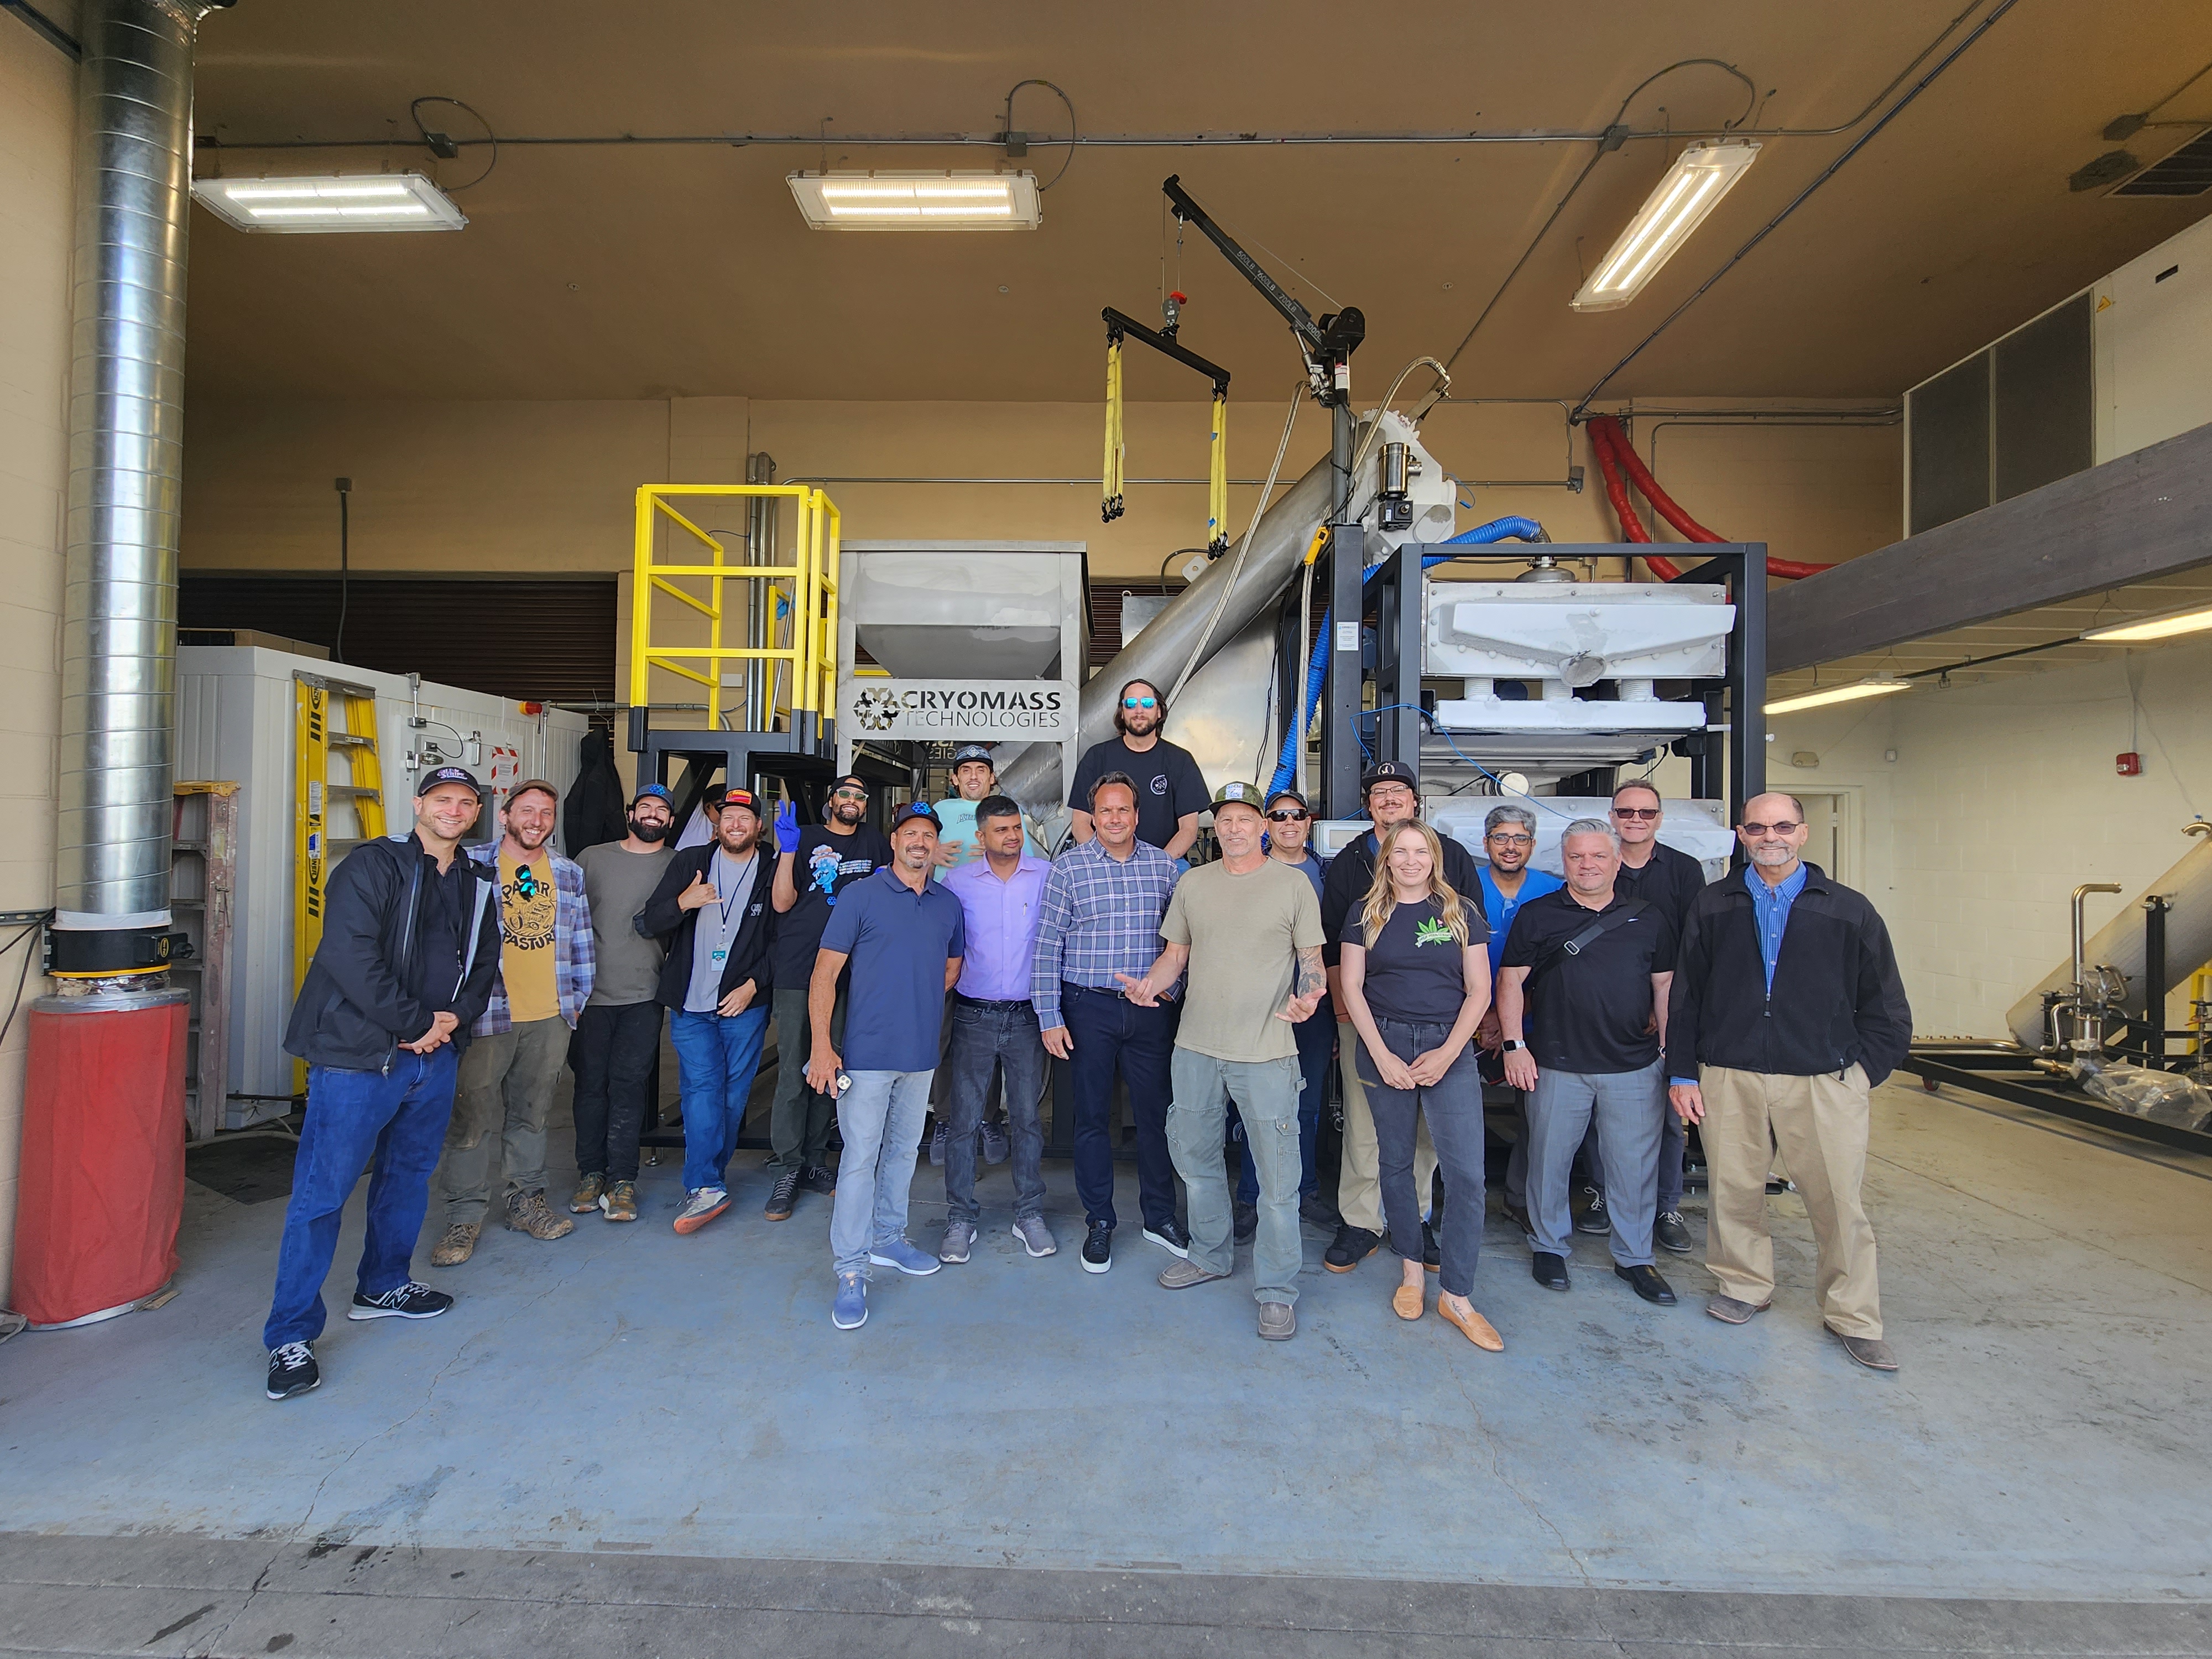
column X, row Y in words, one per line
column 125, row 483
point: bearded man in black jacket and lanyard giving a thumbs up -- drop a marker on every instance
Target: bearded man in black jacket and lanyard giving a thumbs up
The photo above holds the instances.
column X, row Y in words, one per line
column 713, row 910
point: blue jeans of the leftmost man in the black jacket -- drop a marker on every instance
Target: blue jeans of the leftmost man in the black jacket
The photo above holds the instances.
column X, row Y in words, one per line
column 397, row 1116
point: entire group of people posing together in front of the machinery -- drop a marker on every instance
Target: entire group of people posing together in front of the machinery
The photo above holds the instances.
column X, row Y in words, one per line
column 1620, row 1008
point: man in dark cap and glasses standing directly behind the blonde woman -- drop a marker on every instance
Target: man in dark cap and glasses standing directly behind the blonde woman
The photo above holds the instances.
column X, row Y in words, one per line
column 1392, row 795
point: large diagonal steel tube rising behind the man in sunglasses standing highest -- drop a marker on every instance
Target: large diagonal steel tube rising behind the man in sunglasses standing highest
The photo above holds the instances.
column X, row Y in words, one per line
column 1173, row 636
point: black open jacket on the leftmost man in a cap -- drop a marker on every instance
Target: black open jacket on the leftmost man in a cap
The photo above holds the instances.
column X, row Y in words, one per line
column 366, row 992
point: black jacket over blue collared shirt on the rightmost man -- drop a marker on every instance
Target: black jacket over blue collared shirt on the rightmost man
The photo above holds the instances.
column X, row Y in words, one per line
column 1837, row 992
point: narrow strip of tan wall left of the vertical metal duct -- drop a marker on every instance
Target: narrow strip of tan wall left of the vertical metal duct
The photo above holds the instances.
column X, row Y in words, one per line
column 36, row 127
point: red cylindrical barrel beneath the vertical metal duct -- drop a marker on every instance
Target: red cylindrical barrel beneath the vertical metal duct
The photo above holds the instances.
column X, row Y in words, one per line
column 101, row 1187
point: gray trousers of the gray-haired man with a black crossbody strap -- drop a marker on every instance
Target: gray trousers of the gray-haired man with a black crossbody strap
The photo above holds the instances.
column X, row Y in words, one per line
column 1629, row 1109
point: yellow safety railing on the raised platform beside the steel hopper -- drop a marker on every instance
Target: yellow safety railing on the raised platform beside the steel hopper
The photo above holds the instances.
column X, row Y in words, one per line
column 808, row 585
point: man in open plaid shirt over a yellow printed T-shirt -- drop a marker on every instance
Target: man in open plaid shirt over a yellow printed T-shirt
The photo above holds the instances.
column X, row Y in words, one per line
column 521, row 1043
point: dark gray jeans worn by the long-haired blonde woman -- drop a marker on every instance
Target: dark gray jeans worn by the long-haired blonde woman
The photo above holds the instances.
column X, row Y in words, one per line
column 1454, row 1112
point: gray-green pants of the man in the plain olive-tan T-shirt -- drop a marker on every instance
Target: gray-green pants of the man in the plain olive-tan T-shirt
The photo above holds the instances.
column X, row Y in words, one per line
column 1266, row 1094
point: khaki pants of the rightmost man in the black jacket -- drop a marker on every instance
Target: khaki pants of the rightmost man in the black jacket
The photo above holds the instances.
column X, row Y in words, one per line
column 1822, row 1131
